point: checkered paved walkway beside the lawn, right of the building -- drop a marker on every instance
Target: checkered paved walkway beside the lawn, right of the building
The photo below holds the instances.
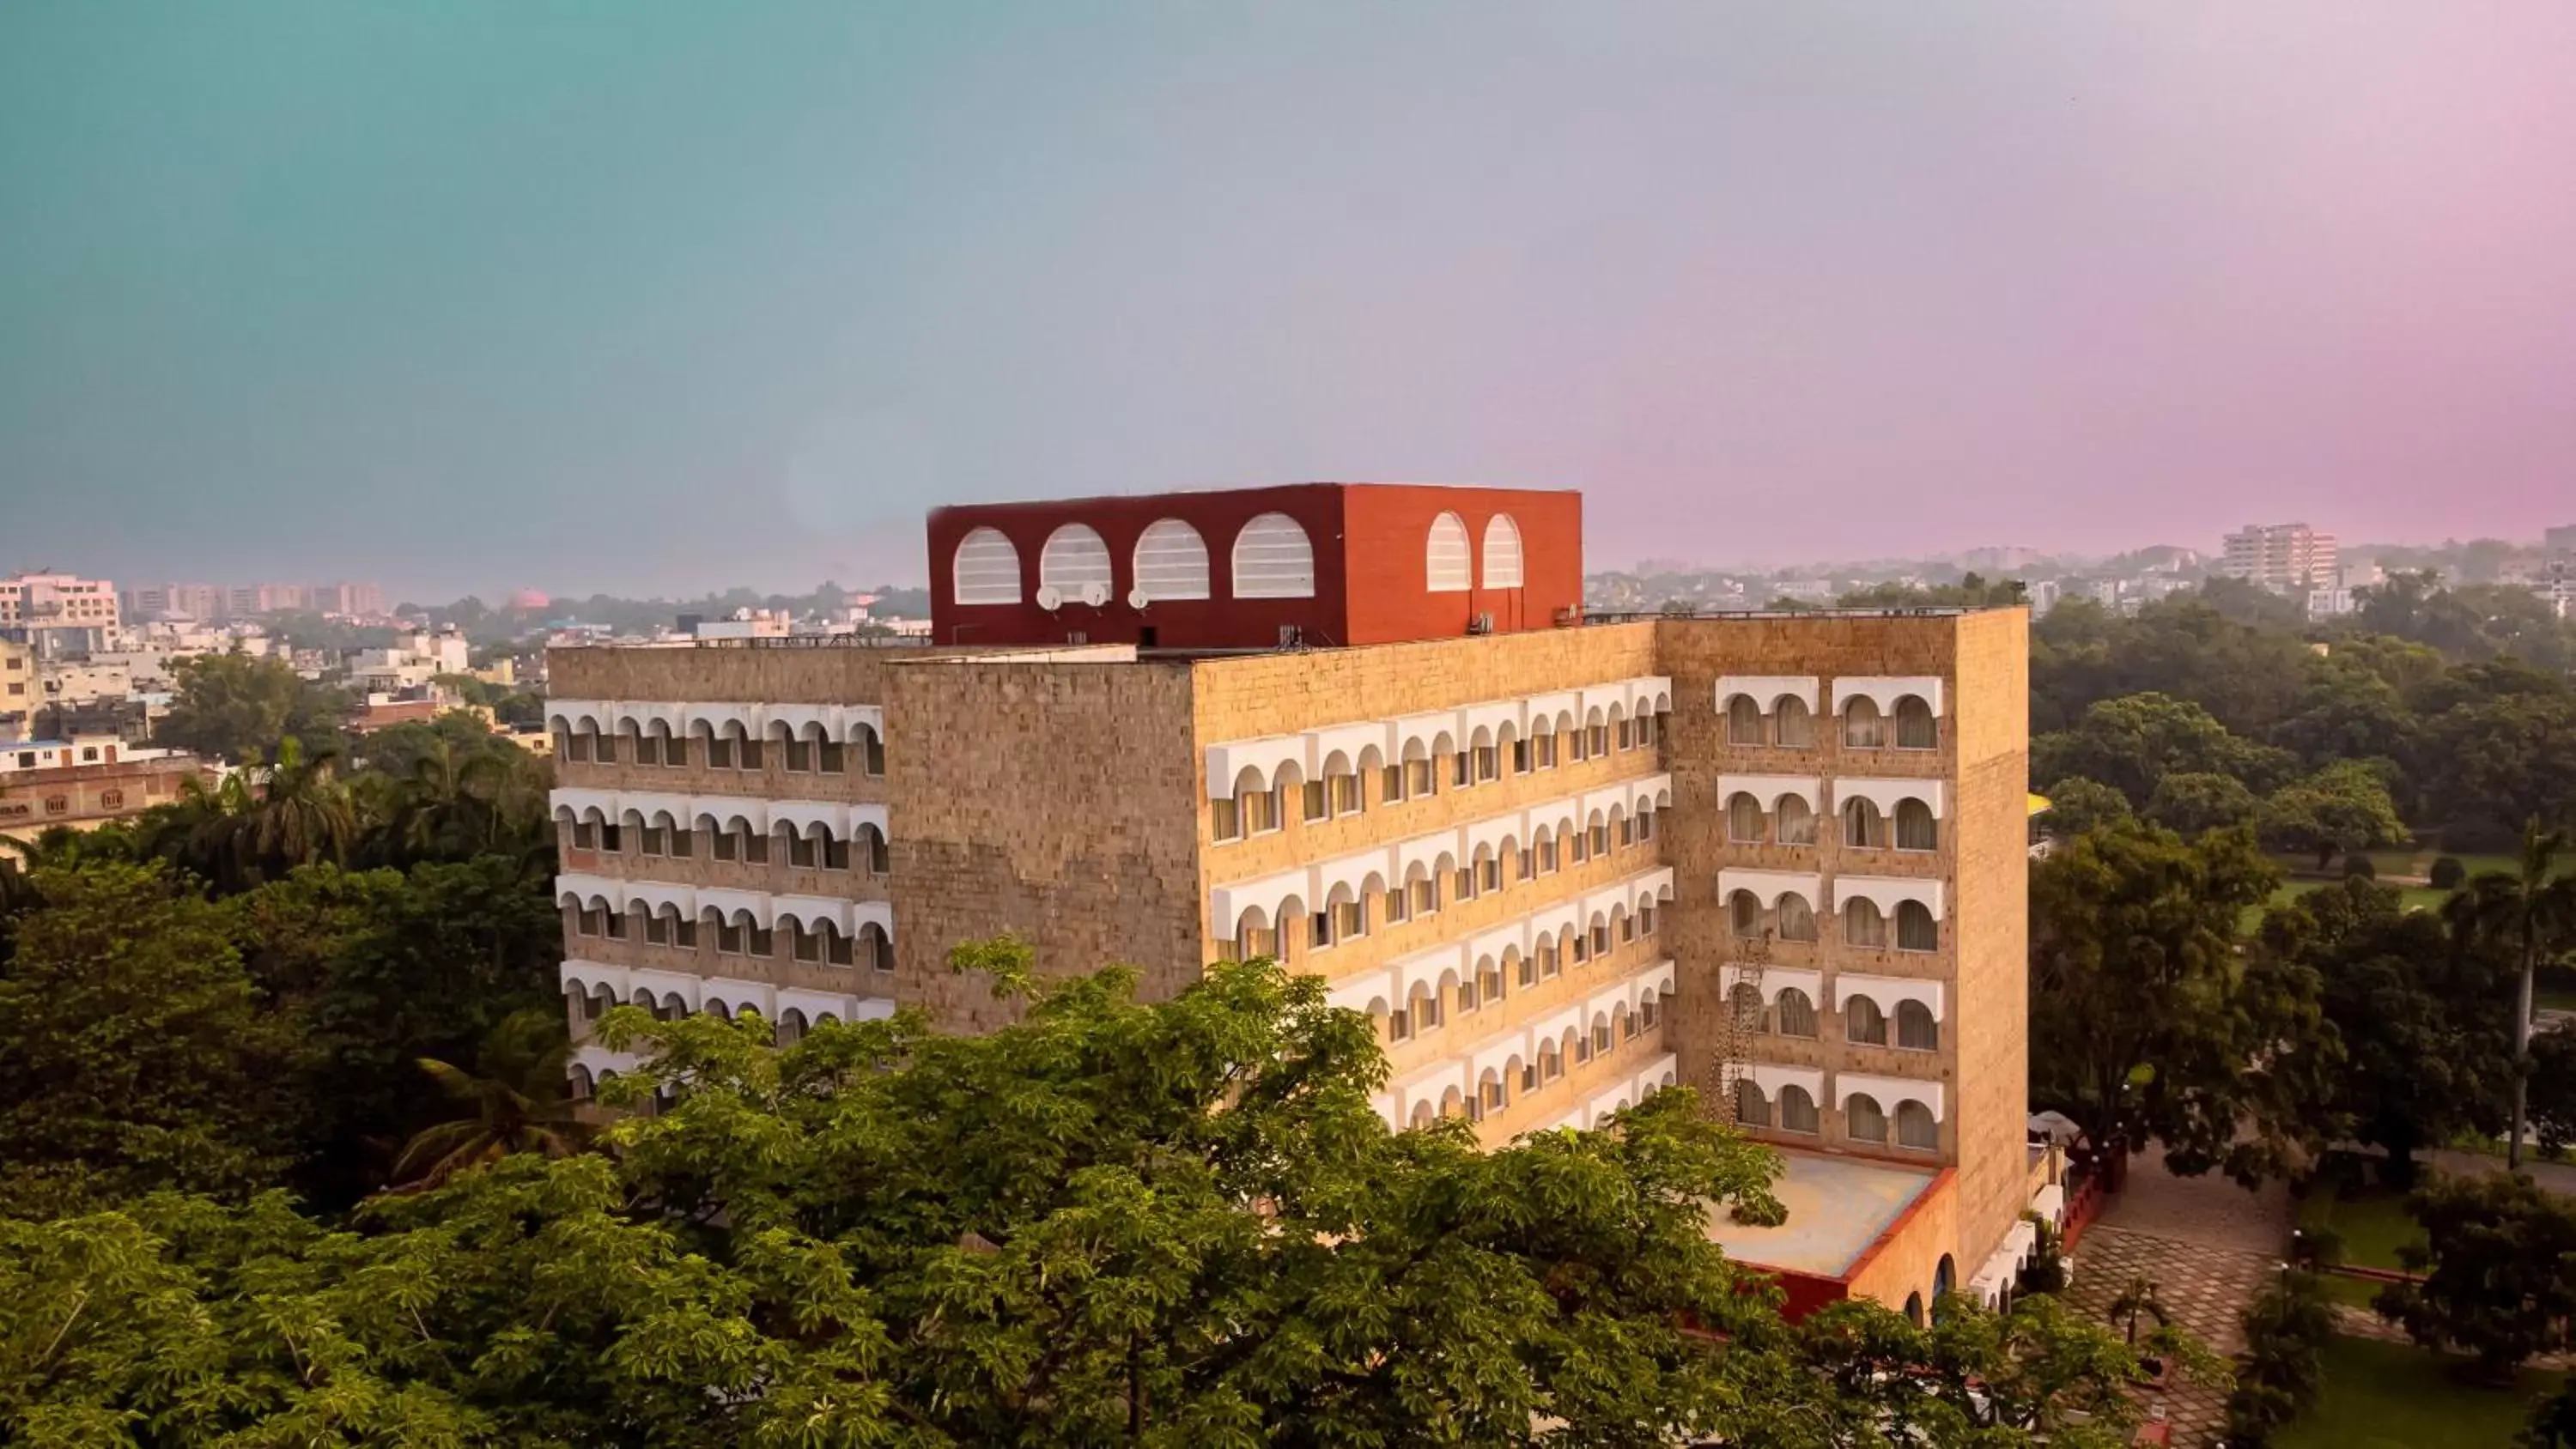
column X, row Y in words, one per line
column 2209, row 1247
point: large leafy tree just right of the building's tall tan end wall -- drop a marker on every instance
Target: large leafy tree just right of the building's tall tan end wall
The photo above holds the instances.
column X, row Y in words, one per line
column 2147, row 1020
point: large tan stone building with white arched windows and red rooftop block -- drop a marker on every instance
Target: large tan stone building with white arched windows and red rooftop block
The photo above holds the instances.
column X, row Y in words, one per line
column 1361, row 730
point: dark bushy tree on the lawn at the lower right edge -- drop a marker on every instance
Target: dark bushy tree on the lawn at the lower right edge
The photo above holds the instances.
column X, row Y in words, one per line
column 2500, row 1270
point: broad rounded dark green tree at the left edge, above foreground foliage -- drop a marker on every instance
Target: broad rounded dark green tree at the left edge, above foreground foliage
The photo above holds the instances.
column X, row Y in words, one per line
column 135, row 1046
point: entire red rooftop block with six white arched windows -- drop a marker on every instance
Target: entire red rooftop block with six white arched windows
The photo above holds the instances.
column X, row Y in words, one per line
column 1323, row 565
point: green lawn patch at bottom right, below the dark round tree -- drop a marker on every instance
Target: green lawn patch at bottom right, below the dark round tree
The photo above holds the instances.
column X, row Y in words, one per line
column 2394, row 1396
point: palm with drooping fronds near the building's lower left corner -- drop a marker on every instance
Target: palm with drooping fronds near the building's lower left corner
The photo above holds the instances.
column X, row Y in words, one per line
column 519, row 1105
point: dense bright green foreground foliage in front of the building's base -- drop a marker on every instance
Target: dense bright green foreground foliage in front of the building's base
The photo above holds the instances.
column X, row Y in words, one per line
column 1112, row 1224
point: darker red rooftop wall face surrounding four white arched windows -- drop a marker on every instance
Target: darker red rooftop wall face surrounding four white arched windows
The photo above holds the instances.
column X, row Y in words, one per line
column 1220, row 622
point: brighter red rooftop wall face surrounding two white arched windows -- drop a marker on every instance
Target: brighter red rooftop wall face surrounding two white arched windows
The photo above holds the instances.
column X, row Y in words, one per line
column 1390, row 586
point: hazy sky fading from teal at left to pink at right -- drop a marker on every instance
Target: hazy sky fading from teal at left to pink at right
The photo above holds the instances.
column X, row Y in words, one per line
column 679, row 295
